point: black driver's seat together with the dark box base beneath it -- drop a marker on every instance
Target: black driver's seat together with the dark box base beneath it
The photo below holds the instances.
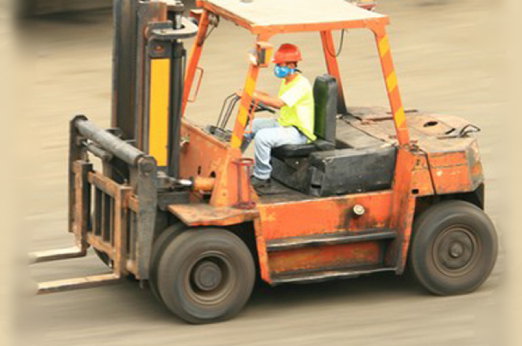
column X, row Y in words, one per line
column 319, row 169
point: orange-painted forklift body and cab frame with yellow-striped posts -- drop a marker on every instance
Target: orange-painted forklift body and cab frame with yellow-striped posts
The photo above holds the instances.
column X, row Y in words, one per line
column 418, row 172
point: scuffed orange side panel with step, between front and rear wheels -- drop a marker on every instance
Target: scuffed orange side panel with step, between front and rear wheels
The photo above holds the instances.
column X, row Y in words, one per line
column 283, row 219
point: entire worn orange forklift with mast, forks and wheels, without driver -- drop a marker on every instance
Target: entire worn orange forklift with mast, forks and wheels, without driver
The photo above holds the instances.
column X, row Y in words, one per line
column 170, row 203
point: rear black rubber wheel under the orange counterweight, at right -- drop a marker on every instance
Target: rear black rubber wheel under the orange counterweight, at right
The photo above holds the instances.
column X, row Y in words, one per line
column 453, row 249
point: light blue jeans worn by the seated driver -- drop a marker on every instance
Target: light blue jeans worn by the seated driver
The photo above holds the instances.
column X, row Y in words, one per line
column 269, row 134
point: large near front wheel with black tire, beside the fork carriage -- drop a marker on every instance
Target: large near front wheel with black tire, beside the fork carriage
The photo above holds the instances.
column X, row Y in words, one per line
column 231, row 275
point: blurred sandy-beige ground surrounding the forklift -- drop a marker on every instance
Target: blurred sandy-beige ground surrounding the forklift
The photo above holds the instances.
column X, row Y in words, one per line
column 452, row 57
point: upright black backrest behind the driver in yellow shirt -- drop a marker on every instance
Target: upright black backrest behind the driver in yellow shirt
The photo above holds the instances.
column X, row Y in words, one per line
column 325, row 99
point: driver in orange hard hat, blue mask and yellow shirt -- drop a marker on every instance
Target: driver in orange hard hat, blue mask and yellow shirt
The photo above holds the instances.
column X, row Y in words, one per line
column 295, row 124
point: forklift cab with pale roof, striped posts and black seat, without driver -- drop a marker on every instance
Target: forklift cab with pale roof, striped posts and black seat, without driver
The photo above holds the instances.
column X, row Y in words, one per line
column 331, row 165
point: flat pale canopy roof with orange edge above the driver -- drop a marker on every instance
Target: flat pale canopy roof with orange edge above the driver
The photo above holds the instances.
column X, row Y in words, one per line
column 277, row 16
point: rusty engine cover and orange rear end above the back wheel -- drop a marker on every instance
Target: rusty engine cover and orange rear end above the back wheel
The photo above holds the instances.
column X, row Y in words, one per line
column 453, row 163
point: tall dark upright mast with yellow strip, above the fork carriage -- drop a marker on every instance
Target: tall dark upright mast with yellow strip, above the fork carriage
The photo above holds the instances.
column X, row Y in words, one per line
column 148, row 60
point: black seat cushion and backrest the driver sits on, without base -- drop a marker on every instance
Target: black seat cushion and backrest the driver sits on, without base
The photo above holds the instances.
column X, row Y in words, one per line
column 325, row 114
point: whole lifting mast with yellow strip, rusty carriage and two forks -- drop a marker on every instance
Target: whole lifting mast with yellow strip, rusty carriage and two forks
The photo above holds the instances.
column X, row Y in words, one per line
column 115, row 211
